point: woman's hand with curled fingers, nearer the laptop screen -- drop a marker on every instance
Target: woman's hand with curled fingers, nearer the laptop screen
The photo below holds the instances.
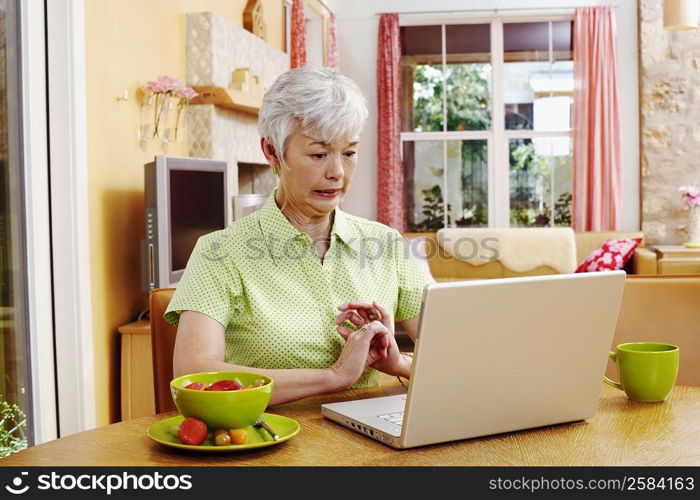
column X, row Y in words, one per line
column 362, row 313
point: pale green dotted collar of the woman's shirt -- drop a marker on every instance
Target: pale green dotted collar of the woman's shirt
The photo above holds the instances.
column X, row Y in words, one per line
column 275, row 225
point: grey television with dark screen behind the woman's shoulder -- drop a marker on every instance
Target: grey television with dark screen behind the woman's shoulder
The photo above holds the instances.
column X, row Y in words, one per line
column 185, row 199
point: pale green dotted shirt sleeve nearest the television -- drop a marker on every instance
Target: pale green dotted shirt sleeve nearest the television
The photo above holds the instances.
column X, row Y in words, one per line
column 210, row 285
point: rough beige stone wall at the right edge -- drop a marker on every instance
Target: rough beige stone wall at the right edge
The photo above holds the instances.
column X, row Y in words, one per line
column 670, row 146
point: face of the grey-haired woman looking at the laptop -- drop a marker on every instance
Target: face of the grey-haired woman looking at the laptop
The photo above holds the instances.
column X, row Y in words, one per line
column 318, row 173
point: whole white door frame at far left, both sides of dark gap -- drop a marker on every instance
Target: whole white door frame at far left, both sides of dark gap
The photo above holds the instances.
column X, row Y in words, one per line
column 52, row 149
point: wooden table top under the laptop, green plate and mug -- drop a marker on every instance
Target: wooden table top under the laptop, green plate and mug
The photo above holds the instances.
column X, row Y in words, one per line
column 621, row 433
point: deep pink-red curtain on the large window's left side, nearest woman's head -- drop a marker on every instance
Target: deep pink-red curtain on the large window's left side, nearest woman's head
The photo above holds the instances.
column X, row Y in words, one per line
column 390, row 207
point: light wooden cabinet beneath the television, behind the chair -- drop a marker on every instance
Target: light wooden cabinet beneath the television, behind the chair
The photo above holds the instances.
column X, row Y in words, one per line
column 137, row 398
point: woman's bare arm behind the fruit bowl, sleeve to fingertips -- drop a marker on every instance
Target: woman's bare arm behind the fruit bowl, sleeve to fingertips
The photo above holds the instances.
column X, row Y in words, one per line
column 200, row 344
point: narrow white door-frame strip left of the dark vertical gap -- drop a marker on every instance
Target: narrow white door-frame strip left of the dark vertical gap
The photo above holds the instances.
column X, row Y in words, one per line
column 28, row 114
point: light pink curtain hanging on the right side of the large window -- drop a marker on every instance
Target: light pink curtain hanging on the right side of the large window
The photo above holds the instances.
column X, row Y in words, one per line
column 597, row 164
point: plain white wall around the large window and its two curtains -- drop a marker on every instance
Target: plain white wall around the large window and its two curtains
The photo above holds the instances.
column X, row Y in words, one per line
column 357, row 39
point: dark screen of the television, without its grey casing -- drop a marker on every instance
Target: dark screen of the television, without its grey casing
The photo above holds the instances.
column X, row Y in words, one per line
column 195, row 210
